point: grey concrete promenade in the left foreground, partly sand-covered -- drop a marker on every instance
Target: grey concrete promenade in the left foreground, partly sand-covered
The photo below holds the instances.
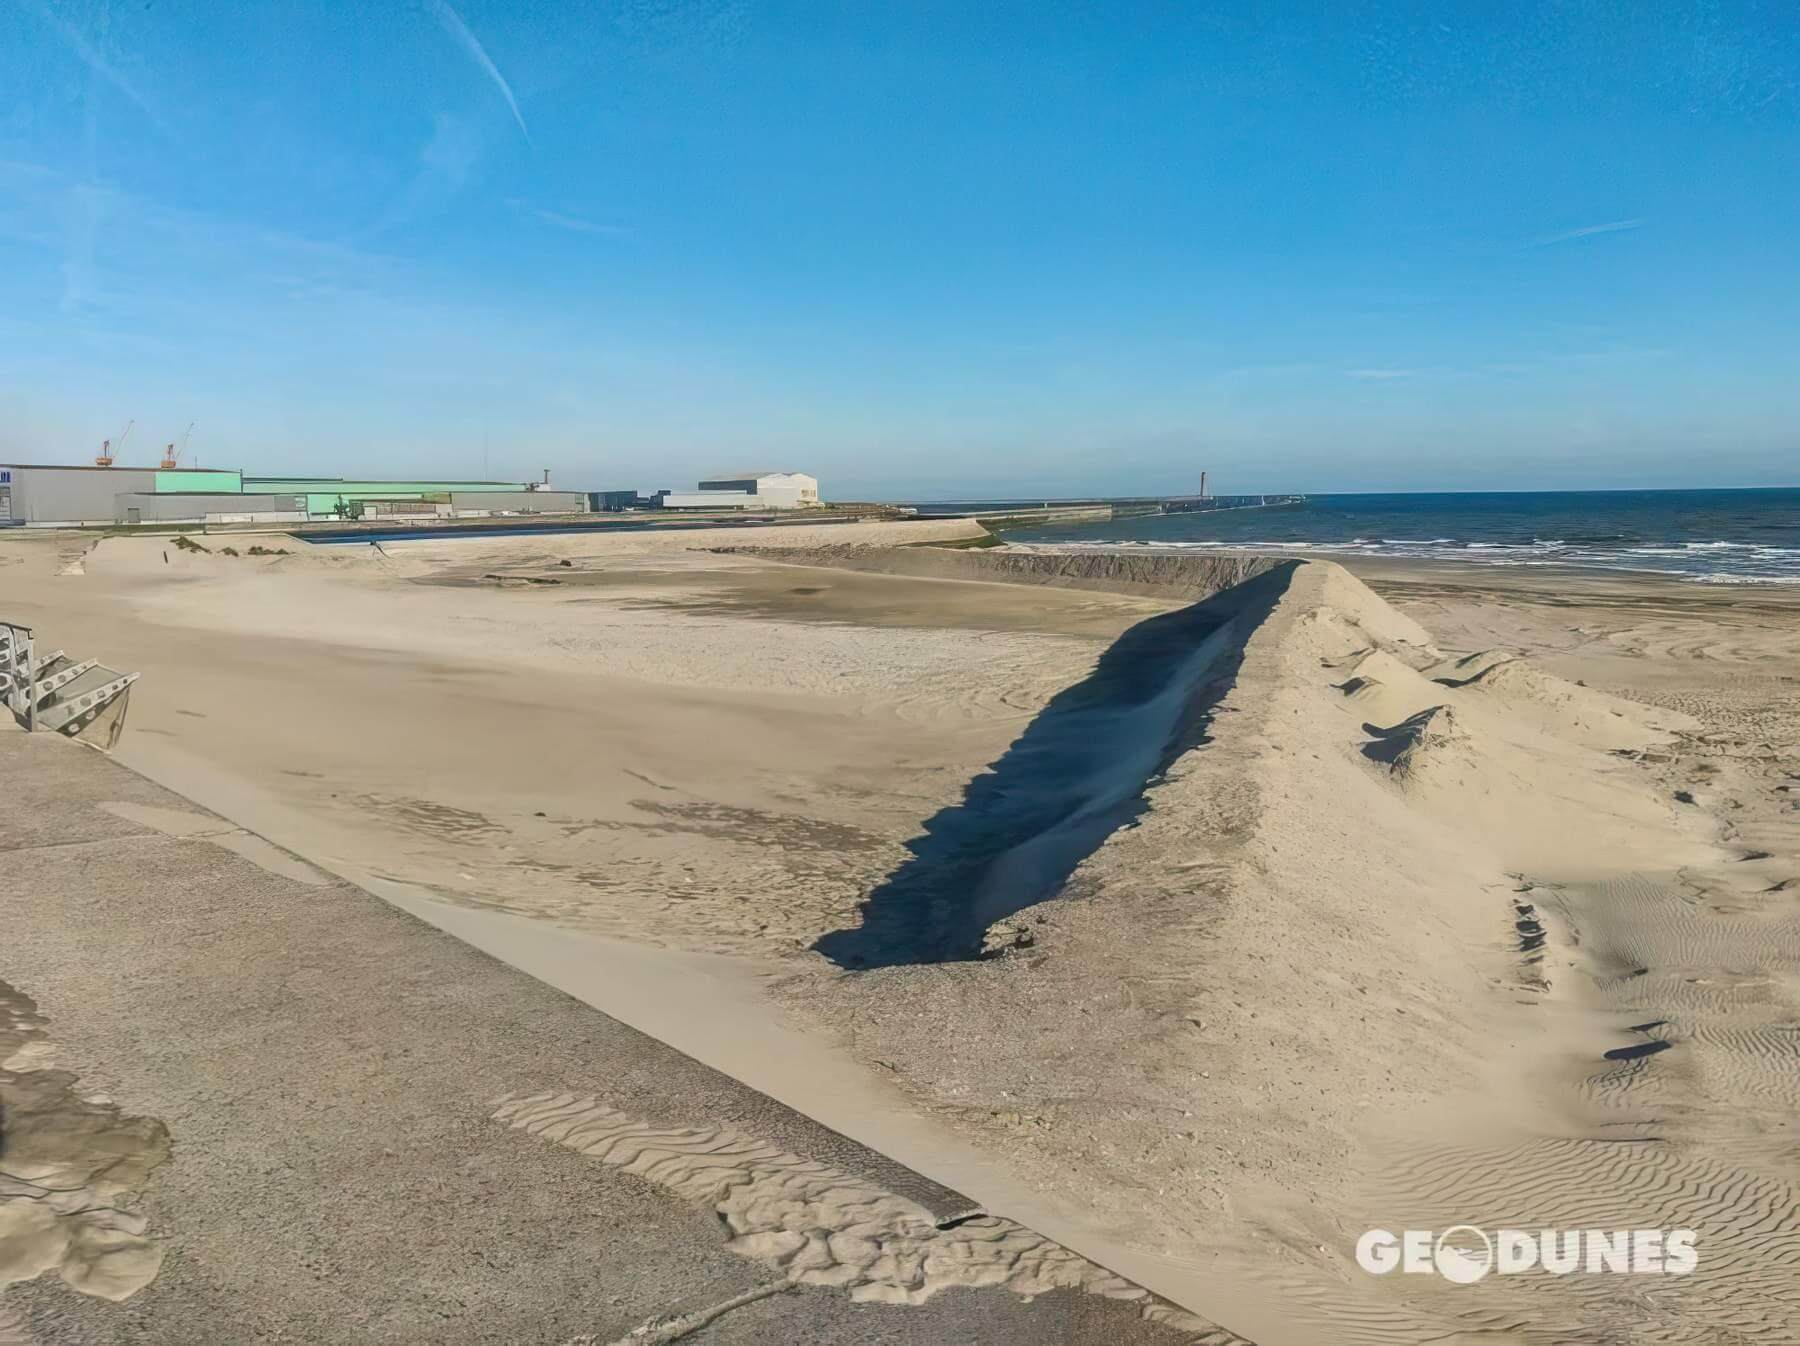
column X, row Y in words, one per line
column 327, row 1070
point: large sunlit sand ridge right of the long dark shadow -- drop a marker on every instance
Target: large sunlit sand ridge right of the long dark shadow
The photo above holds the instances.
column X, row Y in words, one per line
column 1304, row 946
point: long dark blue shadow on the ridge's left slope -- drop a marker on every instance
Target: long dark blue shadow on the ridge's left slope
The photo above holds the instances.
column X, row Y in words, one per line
column 1075, row 776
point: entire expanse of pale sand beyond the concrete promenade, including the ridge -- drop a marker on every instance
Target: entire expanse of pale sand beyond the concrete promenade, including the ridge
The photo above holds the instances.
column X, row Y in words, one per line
column 1468, row 901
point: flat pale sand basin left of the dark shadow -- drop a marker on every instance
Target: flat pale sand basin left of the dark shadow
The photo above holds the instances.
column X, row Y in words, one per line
column 651, row 748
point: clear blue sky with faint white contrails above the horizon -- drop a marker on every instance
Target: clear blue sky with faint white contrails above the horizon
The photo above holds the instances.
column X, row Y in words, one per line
column 915, row 249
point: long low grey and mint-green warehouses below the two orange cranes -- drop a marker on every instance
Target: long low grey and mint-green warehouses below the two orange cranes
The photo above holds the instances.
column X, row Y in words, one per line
column 78, row 496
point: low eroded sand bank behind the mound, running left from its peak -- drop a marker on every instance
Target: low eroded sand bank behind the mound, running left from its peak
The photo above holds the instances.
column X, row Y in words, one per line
column 1178, row 579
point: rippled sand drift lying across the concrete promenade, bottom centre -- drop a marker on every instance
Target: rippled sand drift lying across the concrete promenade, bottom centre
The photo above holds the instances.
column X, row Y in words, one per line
column 827, row 1228
